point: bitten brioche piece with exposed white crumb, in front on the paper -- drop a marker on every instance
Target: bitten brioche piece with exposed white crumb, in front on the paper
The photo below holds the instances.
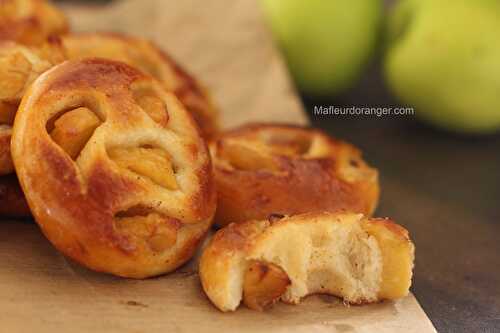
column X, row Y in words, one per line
column 287, row 258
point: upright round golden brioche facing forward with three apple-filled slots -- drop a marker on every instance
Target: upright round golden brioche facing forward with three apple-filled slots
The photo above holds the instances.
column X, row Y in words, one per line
column 114, row 169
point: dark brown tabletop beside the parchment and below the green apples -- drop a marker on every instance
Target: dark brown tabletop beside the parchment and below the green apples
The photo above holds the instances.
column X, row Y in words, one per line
column 445, row 189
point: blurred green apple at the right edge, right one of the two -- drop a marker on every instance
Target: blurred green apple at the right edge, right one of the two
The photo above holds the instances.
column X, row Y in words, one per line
column 443, row 58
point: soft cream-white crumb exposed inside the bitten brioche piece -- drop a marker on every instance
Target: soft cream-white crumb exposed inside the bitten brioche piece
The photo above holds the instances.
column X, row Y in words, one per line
column 324, row 256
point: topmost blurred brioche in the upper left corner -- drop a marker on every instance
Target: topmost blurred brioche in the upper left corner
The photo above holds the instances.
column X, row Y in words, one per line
column 30, row 22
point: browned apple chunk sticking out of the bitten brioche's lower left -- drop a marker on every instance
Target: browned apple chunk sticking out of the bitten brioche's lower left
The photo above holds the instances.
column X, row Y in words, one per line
column 263, row 285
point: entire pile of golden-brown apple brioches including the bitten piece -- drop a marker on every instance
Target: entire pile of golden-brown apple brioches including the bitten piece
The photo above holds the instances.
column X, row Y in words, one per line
column 121, row 162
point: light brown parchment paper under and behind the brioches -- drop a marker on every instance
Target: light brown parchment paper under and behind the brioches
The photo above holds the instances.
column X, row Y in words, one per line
column 226, row 44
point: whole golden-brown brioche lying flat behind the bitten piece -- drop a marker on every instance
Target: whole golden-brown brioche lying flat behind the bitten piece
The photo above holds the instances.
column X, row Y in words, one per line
column 261, row 169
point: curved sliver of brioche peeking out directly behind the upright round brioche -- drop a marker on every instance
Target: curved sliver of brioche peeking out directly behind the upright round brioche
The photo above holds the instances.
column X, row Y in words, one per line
column 147, row 57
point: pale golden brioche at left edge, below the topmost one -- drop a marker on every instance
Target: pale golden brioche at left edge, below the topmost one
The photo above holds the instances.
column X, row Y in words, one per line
column 19, row 67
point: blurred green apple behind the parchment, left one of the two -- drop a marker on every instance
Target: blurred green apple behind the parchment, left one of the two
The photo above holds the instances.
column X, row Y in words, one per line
column 326, row 43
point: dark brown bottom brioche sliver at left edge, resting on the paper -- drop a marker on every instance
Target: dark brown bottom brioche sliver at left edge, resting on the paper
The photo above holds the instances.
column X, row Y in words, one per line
column 12, row 201
